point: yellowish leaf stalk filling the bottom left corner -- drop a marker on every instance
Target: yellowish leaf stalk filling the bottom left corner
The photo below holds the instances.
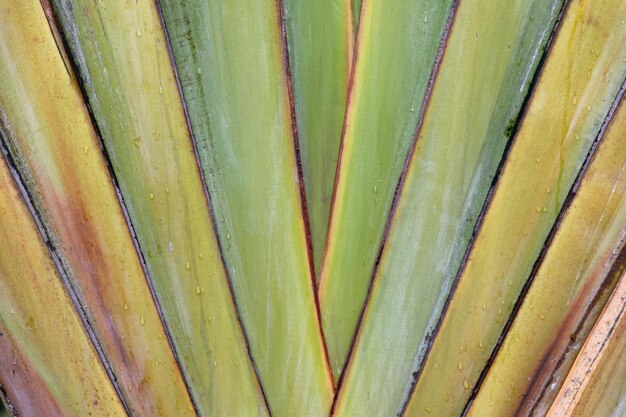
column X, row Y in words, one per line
column 48, row 365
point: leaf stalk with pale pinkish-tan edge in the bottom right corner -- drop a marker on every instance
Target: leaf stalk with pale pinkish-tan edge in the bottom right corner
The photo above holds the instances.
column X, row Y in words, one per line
column 596, row 384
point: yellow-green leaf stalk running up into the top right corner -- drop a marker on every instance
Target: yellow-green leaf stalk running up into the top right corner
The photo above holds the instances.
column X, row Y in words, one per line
column 578, row 85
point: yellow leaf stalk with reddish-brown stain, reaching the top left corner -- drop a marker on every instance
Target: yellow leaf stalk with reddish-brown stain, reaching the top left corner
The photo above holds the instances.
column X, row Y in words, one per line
column 46, row 128
